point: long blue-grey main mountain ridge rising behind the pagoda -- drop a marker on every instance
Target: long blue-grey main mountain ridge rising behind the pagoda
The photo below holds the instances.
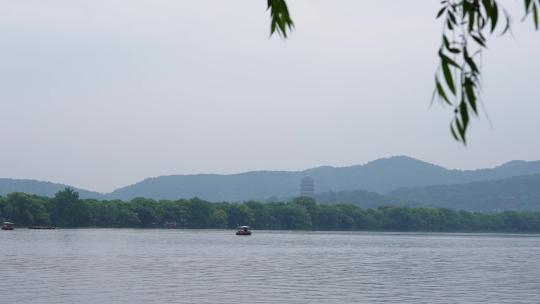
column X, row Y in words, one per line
column 381, row 176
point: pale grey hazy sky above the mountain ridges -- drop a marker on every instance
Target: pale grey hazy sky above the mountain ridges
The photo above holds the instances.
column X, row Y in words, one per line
column 103, row 93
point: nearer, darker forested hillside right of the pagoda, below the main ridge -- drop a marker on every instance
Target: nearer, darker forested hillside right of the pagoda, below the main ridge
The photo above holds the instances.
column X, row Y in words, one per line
column 516, row 193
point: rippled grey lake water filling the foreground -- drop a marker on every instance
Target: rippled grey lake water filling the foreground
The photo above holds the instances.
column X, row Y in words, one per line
column 215, row 266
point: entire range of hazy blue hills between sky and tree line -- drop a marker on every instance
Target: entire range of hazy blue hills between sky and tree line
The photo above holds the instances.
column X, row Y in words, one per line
column 398, row 180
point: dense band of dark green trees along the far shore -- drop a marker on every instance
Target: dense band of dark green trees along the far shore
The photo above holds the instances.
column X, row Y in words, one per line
column 66, row 209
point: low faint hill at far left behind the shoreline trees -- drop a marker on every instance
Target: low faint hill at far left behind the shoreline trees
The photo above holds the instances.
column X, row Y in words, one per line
column 8, row 185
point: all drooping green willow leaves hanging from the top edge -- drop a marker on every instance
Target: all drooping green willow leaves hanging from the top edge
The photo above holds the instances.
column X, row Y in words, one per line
column 467, row 25
